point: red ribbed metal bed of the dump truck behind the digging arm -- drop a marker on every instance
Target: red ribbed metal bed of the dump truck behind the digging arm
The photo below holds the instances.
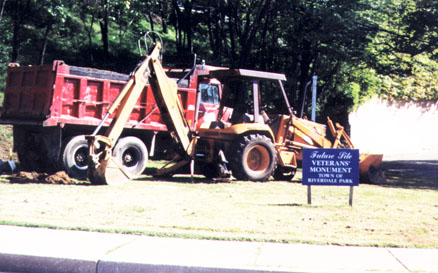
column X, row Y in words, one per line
column 60, row 94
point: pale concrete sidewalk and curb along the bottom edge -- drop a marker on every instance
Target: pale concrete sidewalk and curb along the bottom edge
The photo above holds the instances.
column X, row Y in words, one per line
column 58, row 251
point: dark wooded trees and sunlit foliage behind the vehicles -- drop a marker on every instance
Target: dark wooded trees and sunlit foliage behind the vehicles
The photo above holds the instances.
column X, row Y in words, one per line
column 357, row 48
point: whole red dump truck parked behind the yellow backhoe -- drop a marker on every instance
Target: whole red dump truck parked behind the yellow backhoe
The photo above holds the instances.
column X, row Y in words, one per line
column 53, row 107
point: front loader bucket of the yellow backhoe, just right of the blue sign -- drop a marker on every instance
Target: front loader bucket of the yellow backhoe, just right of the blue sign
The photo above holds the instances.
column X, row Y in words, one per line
column 369, row 168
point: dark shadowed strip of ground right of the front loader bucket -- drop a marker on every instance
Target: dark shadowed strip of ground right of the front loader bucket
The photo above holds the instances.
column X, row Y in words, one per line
column 411, row 174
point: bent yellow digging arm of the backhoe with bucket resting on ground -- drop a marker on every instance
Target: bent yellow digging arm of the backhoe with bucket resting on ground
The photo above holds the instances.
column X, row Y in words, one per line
column 103, row 168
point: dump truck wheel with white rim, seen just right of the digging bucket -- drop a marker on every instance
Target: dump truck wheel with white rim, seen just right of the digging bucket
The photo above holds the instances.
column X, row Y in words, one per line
column 132, row 154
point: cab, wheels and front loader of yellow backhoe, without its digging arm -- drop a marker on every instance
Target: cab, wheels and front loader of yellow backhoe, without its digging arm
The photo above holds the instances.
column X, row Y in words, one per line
column 254, row 145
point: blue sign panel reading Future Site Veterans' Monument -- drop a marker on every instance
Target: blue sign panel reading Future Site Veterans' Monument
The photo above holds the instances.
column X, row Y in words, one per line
column 331, row 167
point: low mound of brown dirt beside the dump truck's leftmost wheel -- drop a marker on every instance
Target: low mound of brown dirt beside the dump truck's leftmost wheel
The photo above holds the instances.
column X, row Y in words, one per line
column 60, row 177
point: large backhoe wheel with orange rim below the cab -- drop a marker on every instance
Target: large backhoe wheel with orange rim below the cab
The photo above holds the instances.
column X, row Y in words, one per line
column 253, row 158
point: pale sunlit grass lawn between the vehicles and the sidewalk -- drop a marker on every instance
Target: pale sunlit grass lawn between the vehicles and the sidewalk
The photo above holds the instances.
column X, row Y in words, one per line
column 272, row 211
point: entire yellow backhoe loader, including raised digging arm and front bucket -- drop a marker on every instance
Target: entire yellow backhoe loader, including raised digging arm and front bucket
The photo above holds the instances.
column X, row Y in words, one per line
column 252, row 145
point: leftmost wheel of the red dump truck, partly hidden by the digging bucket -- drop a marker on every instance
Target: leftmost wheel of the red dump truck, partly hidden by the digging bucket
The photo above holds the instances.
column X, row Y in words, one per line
column 74, row 156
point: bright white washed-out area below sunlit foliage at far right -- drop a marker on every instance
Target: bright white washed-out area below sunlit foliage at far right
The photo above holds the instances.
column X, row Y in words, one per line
column 395, row 128
